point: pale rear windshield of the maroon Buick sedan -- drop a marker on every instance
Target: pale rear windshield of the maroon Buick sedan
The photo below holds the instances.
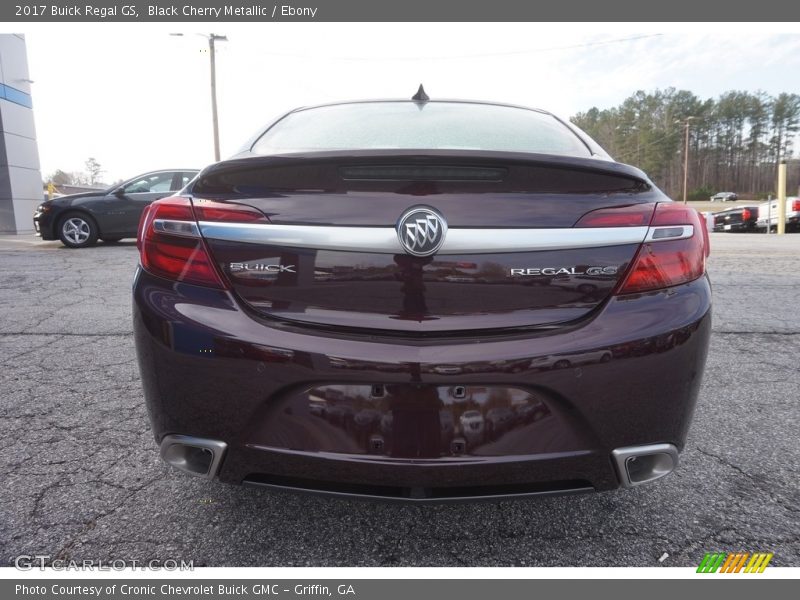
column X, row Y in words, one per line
column 412, row 126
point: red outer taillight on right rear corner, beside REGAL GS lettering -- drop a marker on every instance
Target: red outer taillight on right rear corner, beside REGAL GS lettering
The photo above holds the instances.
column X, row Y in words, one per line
column 674, row 251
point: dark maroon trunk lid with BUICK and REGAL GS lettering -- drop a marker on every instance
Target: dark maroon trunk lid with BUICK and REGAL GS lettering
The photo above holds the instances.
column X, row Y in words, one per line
column 325, row 250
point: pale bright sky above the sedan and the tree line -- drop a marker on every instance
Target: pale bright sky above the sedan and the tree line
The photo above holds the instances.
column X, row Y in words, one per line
column 137, row 99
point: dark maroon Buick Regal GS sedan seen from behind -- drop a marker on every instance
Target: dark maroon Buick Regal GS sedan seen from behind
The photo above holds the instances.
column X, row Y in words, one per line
column 422, row 300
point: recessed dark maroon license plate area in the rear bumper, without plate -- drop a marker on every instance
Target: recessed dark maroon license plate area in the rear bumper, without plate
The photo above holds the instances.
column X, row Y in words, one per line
column 418, row 421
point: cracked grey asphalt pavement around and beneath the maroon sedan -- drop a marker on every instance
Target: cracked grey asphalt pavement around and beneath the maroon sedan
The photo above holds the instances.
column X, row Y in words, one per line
column 81, row 477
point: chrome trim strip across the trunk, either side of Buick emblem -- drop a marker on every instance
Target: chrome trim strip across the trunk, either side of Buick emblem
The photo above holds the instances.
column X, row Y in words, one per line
column 383, row 240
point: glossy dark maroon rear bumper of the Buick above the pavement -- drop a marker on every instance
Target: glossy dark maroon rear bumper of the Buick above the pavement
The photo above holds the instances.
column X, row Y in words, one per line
column 294, row 410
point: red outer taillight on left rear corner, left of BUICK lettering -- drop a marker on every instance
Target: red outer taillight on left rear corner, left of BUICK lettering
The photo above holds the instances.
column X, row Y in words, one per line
column 170, row 245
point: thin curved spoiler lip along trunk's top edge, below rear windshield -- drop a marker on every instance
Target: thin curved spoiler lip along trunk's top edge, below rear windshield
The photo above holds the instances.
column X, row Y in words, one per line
column 248, row 160
